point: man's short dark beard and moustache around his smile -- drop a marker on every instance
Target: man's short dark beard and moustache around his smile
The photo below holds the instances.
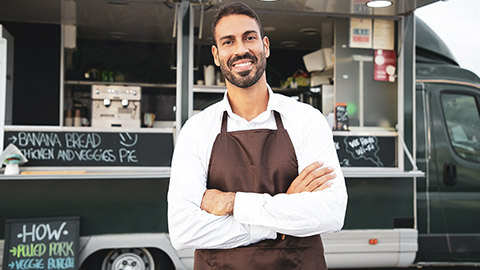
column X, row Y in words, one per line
column 246, row 78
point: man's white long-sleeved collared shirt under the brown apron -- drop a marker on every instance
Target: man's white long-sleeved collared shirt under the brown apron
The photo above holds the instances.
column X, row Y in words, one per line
column 255, row 216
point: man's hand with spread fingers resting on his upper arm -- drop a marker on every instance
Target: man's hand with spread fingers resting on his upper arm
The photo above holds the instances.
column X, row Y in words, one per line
column 312, row 178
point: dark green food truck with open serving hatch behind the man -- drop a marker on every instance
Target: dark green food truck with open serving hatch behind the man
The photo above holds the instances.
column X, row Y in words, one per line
column 95, row 92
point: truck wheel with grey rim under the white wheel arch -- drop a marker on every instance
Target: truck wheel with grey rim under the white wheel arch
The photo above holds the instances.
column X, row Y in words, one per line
column 128, row 258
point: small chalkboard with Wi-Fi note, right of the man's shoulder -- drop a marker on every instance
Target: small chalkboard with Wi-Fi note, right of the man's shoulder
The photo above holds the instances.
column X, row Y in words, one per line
column 366, row 151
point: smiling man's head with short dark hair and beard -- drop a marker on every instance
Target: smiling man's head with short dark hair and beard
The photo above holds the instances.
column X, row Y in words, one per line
column 240, row 52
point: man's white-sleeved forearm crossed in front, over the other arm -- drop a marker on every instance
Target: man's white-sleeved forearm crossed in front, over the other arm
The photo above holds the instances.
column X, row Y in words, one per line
column 299, row 214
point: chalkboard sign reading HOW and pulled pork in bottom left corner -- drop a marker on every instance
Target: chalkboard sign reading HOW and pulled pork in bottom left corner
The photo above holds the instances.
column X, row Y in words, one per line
column 50, row 243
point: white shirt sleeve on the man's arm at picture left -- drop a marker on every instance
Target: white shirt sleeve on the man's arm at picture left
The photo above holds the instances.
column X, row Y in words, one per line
column 189, row 226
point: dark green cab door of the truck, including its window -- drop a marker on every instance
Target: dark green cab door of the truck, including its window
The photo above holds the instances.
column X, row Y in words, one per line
column 455, row 125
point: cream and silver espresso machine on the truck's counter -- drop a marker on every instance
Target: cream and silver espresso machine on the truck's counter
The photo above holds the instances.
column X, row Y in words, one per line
column 116, row 106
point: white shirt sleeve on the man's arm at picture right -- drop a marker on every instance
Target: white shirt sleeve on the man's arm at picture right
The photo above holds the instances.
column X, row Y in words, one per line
column 306, row 213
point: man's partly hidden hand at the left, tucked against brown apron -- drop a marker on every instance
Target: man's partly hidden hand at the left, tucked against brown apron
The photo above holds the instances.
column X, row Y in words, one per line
column 218, row 202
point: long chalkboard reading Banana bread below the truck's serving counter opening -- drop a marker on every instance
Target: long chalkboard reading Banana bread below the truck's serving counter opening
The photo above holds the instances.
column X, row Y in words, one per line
column 93, row 148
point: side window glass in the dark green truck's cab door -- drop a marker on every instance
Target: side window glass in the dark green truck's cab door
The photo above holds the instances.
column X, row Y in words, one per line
column 463, row 123
